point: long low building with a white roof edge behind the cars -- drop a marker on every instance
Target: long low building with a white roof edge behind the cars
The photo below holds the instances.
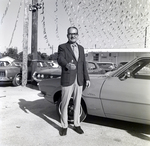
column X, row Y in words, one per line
column 114, row 55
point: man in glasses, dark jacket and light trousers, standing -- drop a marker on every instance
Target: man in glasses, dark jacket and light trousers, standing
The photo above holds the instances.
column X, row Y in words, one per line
column 74, row 74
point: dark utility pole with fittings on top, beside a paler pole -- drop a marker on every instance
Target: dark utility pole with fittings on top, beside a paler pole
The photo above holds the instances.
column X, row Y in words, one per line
column 34, row 37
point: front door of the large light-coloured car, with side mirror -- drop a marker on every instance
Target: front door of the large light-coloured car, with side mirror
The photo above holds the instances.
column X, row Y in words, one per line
column 127, row 97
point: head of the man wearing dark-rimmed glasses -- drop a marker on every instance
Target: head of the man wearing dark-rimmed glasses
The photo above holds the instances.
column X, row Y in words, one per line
column 72, row 35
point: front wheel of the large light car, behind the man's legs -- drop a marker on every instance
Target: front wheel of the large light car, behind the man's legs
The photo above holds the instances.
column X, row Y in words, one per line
column 83, row 112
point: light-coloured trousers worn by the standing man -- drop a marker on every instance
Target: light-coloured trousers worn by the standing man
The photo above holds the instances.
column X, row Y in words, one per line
column 67, row 92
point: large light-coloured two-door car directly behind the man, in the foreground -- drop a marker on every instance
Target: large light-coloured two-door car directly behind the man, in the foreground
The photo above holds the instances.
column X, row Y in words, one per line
column 122, row 94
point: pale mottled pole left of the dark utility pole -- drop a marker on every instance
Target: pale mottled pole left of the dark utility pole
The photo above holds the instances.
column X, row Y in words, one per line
column 25, row 42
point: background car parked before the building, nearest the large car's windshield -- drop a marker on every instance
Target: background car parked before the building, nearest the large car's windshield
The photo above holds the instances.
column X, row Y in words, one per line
column 107, row 66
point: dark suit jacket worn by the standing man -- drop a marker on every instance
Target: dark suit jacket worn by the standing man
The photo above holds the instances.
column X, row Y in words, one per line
column 65, row 56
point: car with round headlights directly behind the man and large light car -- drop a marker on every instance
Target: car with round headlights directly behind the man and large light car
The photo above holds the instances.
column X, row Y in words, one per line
column 54, row 72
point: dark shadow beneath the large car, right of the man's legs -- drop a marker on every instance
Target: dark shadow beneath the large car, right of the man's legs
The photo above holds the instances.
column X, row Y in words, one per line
column 138, row 130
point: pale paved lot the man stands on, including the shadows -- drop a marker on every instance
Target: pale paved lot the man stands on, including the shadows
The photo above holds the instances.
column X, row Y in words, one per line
column 26, row 119
